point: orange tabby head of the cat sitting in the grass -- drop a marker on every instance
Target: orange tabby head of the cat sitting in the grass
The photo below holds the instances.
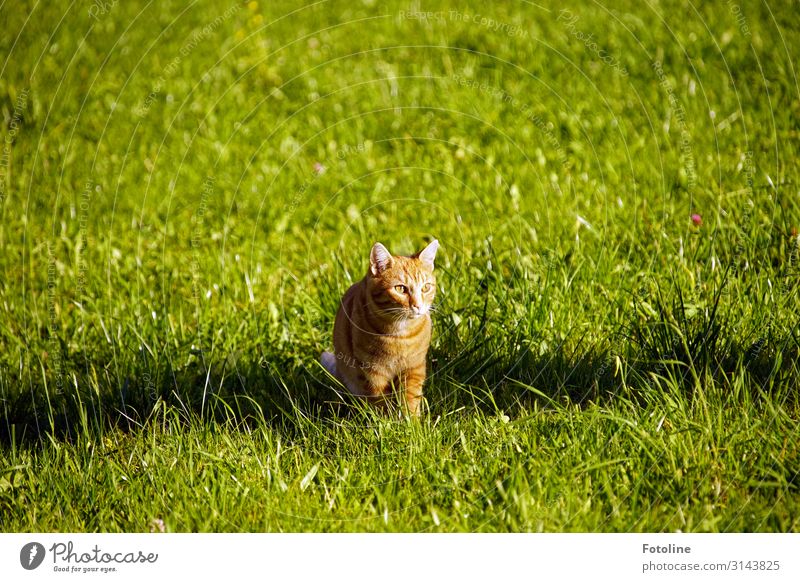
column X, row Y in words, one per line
column 402, row 287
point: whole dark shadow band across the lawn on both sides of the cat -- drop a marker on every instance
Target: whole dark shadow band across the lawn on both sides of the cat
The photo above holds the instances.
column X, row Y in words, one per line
column 667, row 340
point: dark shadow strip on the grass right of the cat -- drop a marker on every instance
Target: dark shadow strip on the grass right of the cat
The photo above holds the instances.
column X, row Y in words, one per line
column 667, row 341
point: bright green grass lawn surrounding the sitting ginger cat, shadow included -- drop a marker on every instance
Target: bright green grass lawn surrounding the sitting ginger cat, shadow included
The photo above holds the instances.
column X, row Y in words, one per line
column 172, row 263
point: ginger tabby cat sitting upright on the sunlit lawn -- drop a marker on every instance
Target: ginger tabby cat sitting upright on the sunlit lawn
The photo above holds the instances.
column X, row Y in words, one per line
column 383, row 328
